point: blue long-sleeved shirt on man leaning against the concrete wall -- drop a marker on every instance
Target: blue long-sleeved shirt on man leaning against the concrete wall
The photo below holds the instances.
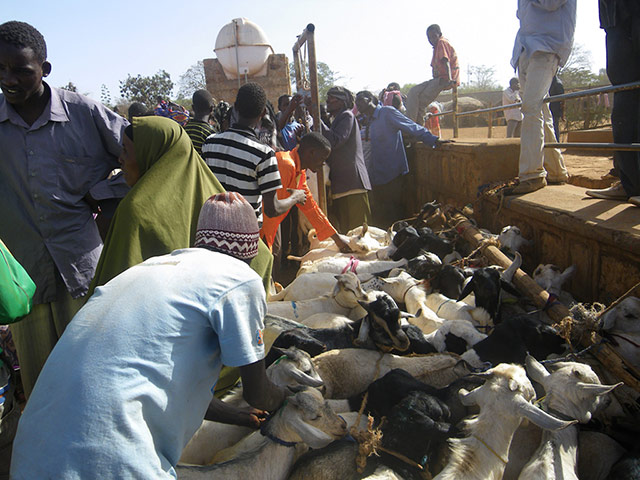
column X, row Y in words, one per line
column 388, row 158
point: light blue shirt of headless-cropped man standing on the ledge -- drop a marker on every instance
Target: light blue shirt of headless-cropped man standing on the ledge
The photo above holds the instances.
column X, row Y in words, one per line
column 545, row 26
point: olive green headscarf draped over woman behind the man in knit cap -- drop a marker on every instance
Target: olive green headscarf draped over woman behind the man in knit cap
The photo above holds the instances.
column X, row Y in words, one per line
column 160, row 212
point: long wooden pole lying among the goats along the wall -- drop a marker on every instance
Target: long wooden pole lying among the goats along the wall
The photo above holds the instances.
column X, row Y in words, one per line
column 608, row 357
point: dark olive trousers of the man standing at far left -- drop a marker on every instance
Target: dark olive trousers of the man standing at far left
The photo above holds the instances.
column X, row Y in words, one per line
column 36, row 334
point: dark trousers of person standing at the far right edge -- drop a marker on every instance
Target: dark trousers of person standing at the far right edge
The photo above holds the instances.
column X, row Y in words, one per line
column 623, row 66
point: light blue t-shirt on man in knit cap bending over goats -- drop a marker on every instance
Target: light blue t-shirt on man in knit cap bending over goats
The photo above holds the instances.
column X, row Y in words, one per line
column 130, row 379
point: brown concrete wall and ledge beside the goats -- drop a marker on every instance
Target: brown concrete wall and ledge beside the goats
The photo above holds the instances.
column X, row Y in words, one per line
column 602, row 238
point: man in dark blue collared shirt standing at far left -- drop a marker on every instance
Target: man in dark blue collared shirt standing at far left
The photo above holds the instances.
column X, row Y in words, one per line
column 58, row 148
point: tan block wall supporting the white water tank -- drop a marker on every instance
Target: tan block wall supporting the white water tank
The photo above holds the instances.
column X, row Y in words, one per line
column 275, row 83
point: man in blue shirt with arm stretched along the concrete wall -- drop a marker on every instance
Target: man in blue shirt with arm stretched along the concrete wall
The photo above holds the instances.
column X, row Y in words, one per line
column 388, row 162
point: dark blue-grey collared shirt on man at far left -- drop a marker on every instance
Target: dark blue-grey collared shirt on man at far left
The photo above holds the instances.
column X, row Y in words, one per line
column 46, row 170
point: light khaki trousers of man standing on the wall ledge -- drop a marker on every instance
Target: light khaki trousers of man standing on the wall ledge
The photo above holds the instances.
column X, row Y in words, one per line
column 535, row 75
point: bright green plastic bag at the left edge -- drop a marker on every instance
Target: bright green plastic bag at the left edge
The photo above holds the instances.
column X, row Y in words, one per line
column 16, row 288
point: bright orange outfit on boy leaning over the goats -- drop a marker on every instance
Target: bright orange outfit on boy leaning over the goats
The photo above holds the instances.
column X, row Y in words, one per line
column 292, row 176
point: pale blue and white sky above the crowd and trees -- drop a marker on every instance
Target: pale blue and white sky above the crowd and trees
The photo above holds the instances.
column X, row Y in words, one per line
column 369, row 43
